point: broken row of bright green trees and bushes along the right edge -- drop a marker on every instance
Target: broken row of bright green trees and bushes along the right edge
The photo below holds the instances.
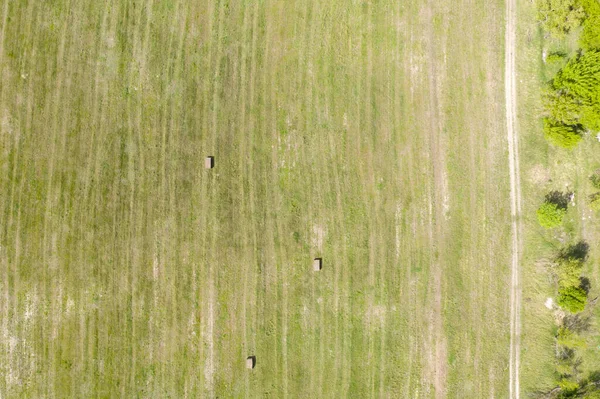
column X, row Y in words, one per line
column 571, row 113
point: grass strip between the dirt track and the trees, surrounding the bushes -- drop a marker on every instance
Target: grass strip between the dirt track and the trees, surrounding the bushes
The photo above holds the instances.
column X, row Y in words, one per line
column 546, row 168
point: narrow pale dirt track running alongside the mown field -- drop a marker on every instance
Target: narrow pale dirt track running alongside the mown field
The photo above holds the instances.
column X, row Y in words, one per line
column 515, row 196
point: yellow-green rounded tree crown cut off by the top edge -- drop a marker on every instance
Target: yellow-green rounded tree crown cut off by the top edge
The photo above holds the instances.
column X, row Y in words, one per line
column 559, row 17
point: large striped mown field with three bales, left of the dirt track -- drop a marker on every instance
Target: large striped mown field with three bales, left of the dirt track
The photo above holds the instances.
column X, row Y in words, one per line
column 370, row 133
